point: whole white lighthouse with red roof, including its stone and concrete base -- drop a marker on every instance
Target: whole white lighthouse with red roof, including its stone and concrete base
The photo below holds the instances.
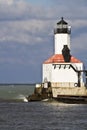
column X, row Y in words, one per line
column 62, row 73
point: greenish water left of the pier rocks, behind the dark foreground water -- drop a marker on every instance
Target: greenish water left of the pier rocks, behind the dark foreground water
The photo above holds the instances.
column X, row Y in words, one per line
column 16, row 91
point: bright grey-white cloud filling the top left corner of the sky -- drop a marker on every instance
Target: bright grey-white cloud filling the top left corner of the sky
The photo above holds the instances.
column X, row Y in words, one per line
column 22, row 10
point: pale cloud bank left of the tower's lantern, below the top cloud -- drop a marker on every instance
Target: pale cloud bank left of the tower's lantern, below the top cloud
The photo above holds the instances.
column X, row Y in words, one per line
column 24, row 32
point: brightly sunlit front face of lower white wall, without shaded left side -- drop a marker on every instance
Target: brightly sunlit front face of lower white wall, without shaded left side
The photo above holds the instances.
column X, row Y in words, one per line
column 66, row 74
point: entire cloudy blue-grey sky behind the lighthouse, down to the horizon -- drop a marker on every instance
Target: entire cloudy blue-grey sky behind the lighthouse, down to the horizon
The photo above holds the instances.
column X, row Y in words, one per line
column 27, row 35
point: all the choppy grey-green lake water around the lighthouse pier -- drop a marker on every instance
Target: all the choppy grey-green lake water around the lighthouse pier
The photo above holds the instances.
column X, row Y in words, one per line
column 39, row 115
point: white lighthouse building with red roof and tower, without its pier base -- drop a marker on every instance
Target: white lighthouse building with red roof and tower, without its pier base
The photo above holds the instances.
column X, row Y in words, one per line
column 62, row 69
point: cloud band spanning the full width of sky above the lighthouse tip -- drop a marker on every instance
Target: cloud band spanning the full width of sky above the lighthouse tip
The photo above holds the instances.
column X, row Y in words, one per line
column 21, row 9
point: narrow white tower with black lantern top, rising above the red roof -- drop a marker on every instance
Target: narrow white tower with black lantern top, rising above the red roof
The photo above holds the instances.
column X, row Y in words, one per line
column 62, row 36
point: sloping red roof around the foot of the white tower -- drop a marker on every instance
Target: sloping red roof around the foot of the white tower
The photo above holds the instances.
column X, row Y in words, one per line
column 58, row 58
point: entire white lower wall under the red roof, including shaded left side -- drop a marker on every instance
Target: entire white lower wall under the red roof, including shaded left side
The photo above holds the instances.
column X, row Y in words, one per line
column 61, row 75
